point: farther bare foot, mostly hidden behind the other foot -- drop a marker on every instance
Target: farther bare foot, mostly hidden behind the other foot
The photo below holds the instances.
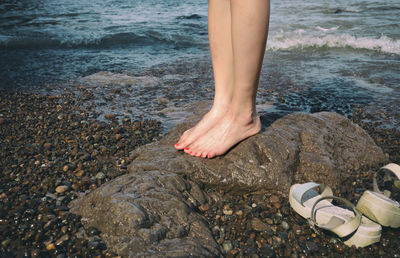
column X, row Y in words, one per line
column 206, row 123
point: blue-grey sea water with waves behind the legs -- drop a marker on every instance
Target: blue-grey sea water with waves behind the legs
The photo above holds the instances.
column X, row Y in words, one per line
column 321, row 55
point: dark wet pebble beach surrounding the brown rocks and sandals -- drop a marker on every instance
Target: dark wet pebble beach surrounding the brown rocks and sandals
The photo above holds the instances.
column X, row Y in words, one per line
column 52, row 151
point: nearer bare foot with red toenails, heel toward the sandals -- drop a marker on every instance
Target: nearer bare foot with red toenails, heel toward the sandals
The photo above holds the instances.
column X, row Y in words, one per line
column 224, row 135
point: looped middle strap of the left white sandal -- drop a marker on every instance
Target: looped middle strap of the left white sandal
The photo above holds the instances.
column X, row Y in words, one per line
column 344, row 229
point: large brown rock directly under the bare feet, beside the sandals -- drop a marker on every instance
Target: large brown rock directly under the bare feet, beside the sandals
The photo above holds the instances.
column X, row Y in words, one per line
column 319, row 147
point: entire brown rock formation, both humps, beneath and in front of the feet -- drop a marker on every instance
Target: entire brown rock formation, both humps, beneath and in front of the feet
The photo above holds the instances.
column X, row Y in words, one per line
column 152, row 210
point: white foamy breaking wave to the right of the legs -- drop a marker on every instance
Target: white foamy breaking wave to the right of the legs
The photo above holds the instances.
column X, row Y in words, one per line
column 298, row 40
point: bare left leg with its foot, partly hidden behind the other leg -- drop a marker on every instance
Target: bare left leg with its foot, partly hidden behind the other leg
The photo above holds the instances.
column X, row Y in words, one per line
column 219, row 30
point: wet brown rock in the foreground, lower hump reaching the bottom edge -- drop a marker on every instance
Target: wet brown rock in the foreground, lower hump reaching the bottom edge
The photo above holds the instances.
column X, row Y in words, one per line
column 149, row 215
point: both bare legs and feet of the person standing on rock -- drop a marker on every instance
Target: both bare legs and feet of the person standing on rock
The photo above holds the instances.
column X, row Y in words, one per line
column 238, row 32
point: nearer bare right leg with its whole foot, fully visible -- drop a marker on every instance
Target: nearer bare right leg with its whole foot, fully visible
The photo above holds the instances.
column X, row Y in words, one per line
column 250, row 20
